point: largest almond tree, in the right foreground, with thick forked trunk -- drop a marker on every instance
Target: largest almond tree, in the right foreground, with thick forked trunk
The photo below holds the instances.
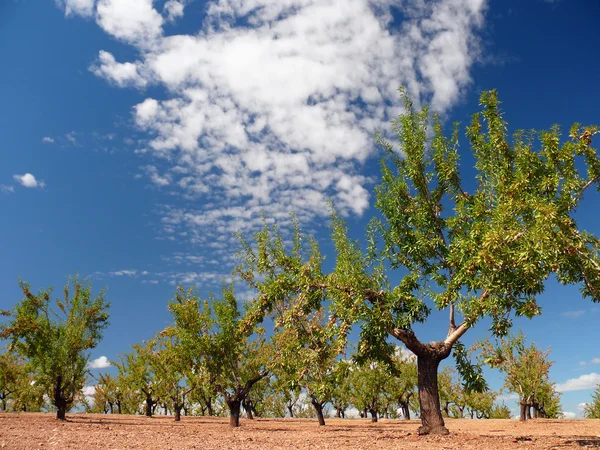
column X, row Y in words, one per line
column 479, row 249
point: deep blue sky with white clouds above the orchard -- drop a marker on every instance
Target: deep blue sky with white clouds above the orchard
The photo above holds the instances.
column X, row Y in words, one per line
column 138, row 136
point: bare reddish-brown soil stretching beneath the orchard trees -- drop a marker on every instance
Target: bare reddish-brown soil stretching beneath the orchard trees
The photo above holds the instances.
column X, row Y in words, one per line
column 89, row 431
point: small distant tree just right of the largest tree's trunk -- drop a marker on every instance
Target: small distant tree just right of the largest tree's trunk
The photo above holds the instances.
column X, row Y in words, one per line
column 526, row 372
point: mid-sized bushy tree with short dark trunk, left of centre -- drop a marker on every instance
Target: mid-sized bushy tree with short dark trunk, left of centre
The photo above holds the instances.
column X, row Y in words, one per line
column 214, row 337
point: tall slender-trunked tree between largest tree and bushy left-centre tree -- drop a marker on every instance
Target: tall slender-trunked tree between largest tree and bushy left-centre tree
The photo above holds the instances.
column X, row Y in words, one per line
column 305, row 332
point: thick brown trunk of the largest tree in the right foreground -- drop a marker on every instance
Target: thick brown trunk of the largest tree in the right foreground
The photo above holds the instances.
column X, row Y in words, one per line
column 432, row 421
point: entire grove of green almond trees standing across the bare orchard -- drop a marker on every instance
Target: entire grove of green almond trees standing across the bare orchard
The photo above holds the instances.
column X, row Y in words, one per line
column 481, row 248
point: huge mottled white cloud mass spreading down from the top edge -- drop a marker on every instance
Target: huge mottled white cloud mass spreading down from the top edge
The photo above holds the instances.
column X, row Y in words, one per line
column 278, row 115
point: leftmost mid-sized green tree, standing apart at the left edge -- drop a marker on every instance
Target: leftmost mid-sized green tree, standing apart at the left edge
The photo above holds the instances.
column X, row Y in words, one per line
column 56, row 340
